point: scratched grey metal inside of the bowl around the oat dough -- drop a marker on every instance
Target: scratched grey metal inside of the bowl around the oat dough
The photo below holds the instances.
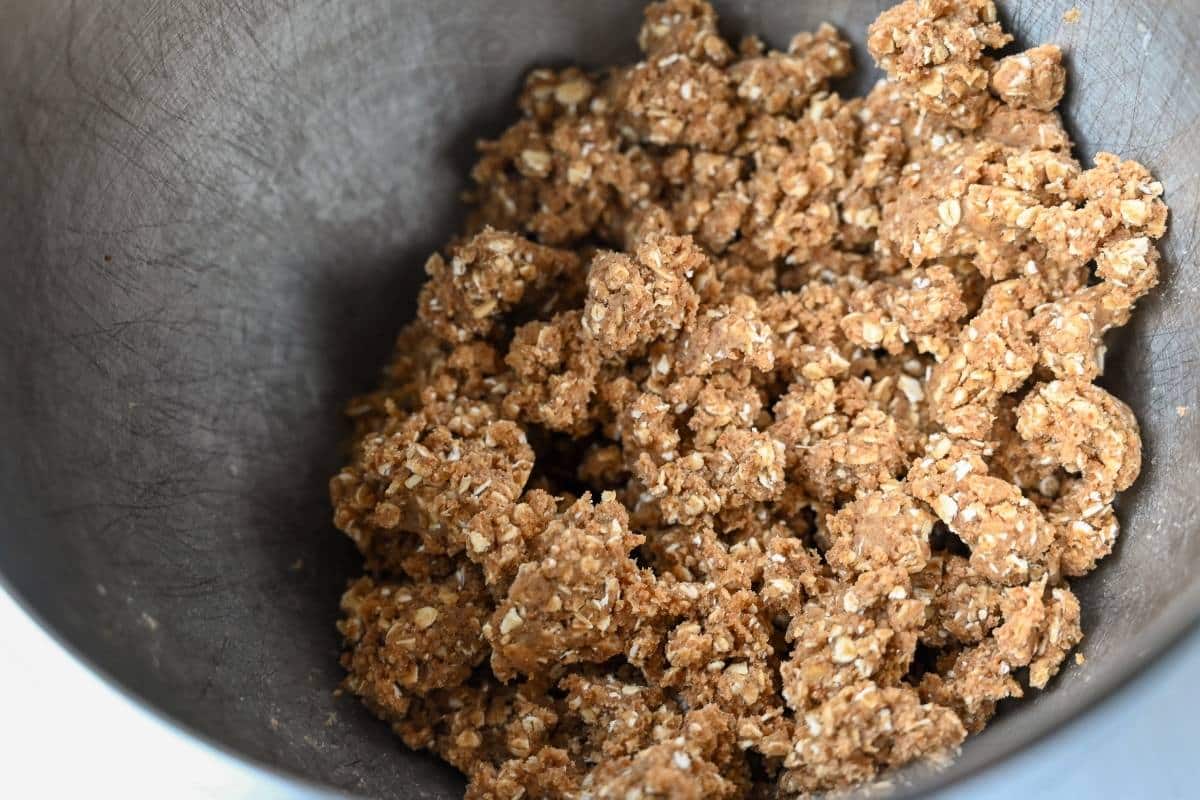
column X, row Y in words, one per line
column 213, row 218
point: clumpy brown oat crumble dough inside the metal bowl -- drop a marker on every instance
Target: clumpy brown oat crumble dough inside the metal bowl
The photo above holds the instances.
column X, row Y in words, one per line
column 747, row 442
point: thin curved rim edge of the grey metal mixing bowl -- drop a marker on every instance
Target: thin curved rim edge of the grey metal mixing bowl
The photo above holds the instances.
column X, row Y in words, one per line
column 1177, row 623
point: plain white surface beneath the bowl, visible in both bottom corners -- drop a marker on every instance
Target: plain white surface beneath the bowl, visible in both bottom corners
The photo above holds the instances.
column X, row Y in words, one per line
column 99, row 744
